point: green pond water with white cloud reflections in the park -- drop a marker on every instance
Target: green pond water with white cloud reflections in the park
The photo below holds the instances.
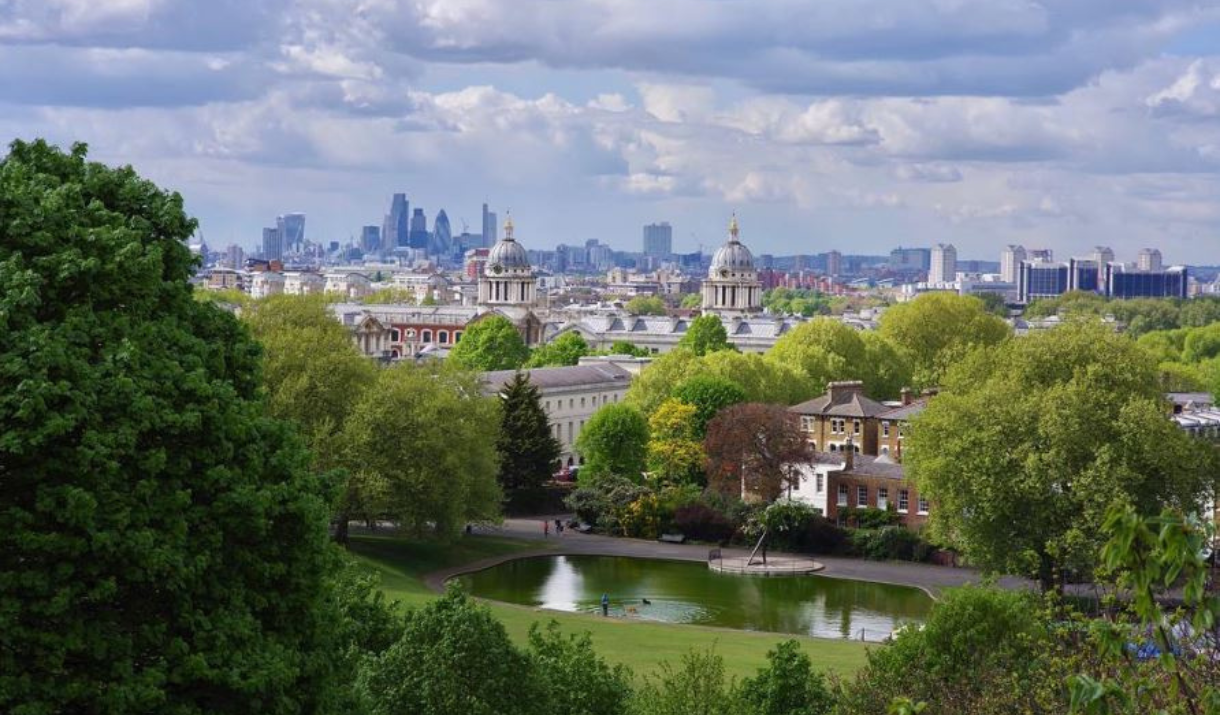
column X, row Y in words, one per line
column 683, row 592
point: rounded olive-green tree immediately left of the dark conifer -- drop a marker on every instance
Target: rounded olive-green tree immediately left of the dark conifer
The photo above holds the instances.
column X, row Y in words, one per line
column 422, row 447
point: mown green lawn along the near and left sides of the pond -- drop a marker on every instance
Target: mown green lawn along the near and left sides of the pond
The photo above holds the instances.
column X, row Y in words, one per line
column 403, row 564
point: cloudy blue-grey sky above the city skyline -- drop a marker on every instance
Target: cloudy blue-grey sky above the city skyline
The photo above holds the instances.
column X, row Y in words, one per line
column 851, row 125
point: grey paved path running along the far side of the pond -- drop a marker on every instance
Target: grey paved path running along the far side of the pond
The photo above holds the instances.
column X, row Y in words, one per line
column 928, row 578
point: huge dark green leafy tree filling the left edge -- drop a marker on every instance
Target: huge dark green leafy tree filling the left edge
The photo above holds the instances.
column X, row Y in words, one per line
column 165, row 545
